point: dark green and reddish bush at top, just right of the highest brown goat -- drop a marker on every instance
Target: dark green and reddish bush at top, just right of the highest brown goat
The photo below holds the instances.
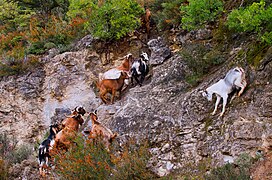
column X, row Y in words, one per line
column 166, row 13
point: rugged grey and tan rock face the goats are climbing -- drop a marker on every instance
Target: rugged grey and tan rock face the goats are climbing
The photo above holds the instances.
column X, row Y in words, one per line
column 166, row 111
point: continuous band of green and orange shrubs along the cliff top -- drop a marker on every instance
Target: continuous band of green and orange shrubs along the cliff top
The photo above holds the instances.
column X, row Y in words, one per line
column 33, row 27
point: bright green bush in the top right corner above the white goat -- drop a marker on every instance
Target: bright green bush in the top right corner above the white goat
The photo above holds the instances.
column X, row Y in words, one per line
column 254, row 18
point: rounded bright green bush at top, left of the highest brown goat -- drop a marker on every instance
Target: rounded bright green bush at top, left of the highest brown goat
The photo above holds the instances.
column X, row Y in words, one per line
column 113, row 19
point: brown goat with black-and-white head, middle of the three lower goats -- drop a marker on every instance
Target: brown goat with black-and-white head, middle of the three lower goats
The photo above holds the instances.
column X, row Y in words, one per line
column 70, row 127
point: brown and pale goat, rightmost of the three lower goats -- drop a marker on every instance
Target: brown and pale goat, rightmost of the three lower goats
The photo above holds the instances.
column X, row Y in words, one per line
column 98, row 130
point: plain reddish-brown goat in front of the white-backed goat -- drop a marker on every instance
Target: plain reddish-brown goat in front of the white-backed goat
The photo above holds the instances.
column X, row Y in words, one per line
column 111, row 86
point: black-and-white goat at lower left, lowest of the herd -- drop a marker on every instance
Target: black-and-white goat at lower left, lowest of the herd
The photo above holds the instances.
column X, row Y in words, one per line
column 45, row 147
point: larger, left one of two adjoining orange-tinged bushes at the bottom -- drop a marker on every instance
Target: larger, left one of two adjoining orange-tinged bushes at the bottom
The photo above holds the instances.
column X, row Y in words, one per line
column 84, row 161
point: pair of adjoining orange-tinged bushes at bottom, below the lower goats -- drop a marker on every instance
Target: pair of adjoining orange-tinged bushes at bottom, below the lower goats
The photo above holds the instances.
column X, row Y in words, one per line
column 91, row 160
